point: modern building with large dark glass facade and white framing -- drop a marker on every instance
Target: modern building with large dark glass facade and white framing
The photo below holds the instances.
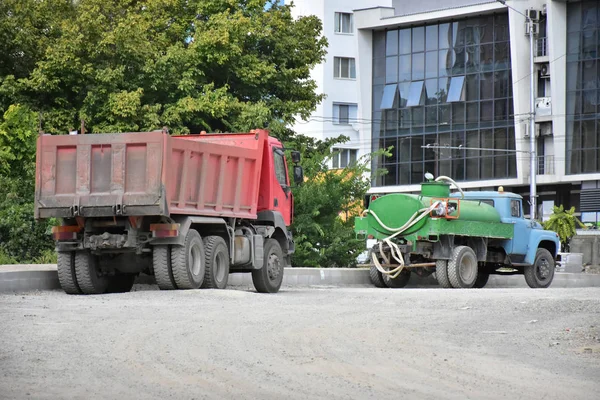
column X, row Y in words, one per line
column 456, row 73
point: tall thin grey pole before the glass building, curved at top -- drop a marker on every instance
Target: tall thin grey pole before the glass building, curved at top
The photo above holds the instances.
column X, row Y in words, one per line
column 532, row 144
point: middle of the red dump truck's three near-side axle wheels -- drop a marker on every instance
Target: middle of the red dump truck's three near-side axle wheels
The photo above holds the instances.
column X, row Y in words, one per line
column 216, row 272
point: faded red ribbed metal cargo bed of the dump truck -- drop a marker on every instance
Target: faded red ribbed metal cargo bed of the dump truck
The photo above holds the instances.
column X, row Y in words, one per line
column 149, row 173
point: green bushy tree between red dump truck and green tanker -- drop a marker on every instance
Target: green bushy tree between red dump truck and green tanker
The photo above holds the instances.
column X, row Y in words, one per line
column 326, row 204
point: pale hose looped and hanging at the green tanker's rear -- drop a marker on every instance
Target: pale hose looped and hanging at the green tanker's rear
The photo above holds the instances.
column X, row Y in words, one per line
column 394, row 249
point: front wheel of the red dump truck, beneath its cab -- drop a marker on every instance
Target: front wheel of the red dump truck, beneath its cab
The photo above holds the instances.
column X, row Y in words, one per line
column 268, row 279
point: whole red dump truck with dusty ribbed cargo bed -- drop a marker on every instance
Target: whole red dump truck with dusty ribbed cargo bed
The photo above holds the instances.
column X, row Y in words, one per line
column 187, row 209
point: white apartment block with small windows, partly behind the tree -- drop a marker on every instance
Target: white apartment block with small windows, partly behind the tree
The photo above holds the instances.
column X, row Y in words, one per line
column 337, row 77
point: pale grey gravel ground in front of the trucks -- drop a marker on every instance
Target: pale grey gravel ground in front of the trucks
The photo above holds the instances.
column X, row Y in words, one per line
column 303, row 343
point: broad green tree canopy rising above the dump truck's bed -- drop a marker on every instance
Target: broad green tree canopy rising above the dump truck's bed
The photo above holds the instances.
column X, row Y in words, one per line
column 216, row 65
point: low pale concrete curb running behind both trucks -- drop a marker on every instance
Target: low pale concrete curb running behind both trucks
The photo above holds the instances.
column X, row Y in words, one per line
column 26, row 277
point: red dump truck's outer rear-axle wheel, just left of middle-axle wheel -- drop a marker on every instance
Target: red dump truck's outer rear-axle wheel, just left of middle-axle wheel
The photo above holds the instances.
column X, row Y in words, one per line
column 187, row 262
